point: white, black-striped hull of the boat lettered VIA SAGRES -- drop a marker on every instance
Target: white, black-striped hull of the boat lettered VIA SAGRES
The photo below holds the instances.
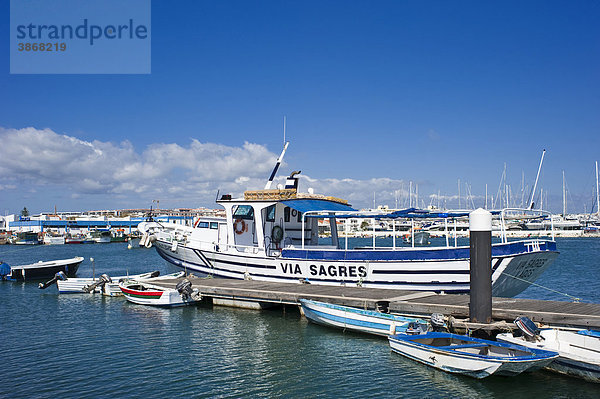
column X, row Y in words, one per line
column 514, row 266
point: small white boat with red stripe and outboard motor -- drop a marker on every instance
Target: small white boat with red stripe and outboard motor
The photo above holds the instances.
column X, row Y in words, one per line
column 144, row 293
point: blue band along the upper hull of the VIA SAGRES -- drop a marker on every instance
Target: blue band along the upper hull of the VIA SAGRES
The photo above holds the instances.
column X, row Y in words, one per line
column 498, row 250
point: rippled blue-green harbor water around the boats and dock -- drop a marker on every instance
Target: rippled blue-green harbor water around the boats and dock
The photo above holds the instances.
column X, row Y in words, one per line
column 71, row 346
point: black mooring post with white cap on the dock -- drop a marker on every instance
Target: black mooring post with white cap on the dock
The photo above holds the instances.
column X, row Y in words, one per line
column 480, row 305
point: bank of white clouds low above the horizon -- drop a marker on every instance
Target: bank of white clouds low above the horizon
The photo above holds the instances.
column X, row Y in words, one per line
column 177, row 175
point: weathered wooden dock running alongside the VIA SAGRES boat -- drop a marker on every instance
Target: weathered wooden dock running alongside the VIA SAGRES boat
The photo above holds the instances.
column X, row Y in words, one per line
column 586, row 315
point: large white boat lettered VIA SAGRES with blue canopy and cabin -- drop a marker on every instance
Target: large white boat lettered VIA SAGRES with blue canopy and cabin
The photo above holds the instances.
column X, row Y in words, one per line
column 272, row 235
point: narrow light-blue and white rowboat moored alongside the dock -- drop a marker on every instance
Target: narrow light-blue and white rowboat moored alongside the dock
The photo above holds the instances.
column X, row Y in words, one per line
column 360, row 320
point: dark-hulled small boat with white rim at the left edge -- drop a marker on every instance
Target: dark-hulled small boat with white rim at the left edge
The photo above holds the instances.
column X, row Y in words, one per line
column 41, row 269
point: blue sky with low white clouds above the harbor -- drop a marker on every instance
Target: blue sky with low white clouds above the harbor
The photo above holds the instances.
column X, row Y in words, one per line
column 376, row 94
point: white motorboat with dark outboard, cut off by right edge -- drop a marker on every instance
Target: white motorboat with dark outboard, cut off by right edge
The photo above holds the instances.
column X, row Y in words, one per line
column 578, row 350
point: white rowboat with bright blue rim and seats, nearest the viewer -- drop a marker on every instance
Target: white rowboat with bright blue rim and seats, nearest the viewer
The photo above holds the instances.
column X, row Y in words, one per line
column 474, row 357
